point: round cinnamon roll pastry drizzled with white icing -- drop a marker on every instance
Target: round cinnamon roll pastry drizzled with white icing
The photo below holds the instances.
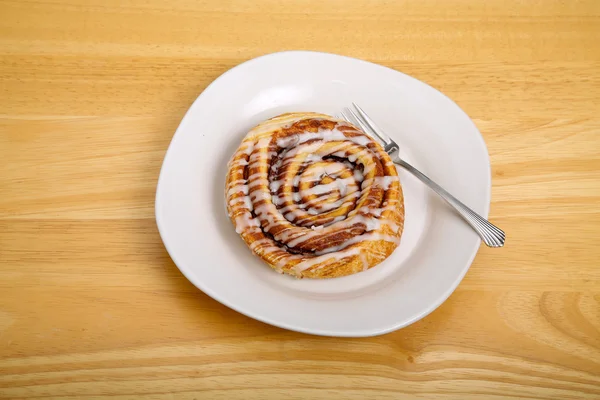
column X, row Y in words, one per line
column 314, row 197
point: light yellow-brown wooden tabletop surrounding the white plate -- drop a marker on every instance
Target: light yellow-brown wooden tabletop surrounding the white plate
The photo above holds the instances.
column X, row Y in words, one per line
column 91, row 306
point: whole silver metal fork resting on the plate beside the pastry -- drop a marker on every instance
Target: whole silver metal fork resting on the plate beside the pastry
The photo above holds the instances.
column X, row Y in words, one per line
column 489, row 233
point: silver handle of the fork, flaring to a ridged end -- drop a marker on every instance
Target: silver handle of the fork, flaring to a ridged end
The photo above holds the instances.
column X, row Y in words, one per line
column 491, row 235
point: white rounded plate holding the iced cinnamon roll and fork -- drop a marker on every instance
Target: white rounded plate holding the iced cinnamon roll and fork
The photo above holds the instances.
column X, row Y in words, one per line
column 437, row 246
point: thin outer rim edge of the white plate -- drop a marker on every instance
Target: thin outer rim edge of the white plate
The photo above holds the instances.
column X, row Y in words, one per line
column 296, row 328
